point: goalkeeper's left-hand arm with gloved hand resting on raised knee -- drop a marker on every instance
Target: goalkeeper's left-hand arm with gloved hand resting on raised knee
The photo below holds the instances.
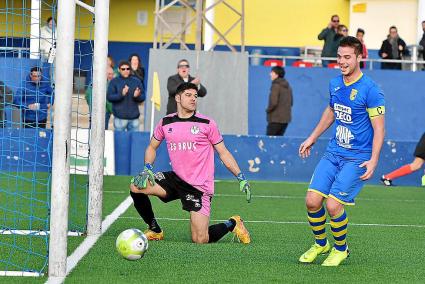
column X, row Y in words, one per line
column 141, row 180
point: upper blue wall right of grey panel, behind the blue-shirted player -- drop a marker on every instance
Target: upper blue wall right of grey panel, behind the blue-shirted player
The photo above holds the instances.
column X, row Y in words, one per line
column 405, row 99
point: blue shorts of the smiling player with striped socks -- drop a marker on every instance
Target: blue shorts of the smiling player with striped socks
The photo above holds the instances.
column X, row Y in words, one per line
column 338, row 178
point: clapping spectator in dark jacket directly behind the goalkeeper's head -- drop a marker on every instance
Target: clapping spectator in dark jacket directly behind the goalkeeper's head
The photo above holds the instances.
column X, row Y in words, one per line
column 174, row 81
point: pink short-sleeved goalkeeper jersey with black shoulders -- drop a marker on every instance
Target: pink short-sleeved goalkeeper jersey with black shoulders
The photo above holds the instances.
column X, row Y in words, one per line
column 190, row 144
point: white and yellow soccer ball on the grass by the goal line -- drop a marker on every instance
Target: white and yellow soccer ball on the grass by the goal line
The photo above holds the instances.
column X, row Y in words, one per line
column 132, row 244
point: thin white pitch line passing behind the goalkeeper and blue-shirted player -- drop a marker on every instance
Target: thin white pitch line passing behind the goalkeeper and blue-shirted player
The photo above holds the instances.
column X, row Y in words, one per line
column 290, row 222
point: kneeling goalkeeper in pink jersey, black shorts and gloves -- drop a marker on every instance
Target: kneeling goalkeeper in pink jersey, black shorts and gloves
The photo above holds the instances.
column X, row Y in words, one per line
column 191, row 140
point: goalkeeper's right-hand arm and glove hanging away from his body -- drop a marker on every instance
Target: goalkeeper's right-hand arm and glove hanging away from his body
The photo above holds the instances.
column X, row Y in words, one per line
column 229, row 161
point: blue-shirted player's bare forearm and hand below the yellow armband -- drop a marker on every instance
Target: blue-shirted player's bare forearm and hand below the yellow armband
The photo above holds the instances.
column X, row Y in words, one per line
column 378, row 124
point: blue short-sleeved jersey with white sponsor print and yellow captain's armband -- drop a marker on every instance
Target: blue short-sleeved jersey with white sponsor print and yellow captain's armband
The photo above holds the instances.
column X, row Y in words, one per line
column 354, row 105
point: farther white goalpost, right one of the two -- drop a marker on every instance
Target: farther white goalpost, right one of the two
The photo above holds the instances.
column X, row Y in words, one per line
column 97, row 129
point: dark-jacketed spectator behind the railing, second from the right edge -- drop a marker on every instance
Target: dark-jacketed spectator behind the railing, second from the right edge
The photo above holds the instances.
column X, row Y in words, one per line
column 393, row 48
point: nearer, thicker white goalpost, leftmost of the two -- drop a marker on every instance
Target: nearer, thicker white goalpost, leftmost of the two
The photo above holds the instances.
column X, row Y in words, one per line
column 61, row 139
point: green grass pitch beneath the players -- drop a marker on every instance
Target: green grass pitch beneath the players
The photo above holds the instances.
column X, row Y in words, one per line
column 386, row 237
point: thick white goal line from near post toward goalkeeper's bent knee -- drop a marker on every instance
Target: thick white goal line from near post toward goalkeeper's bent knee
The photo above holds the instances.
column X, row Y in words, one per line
column 90, row 241
